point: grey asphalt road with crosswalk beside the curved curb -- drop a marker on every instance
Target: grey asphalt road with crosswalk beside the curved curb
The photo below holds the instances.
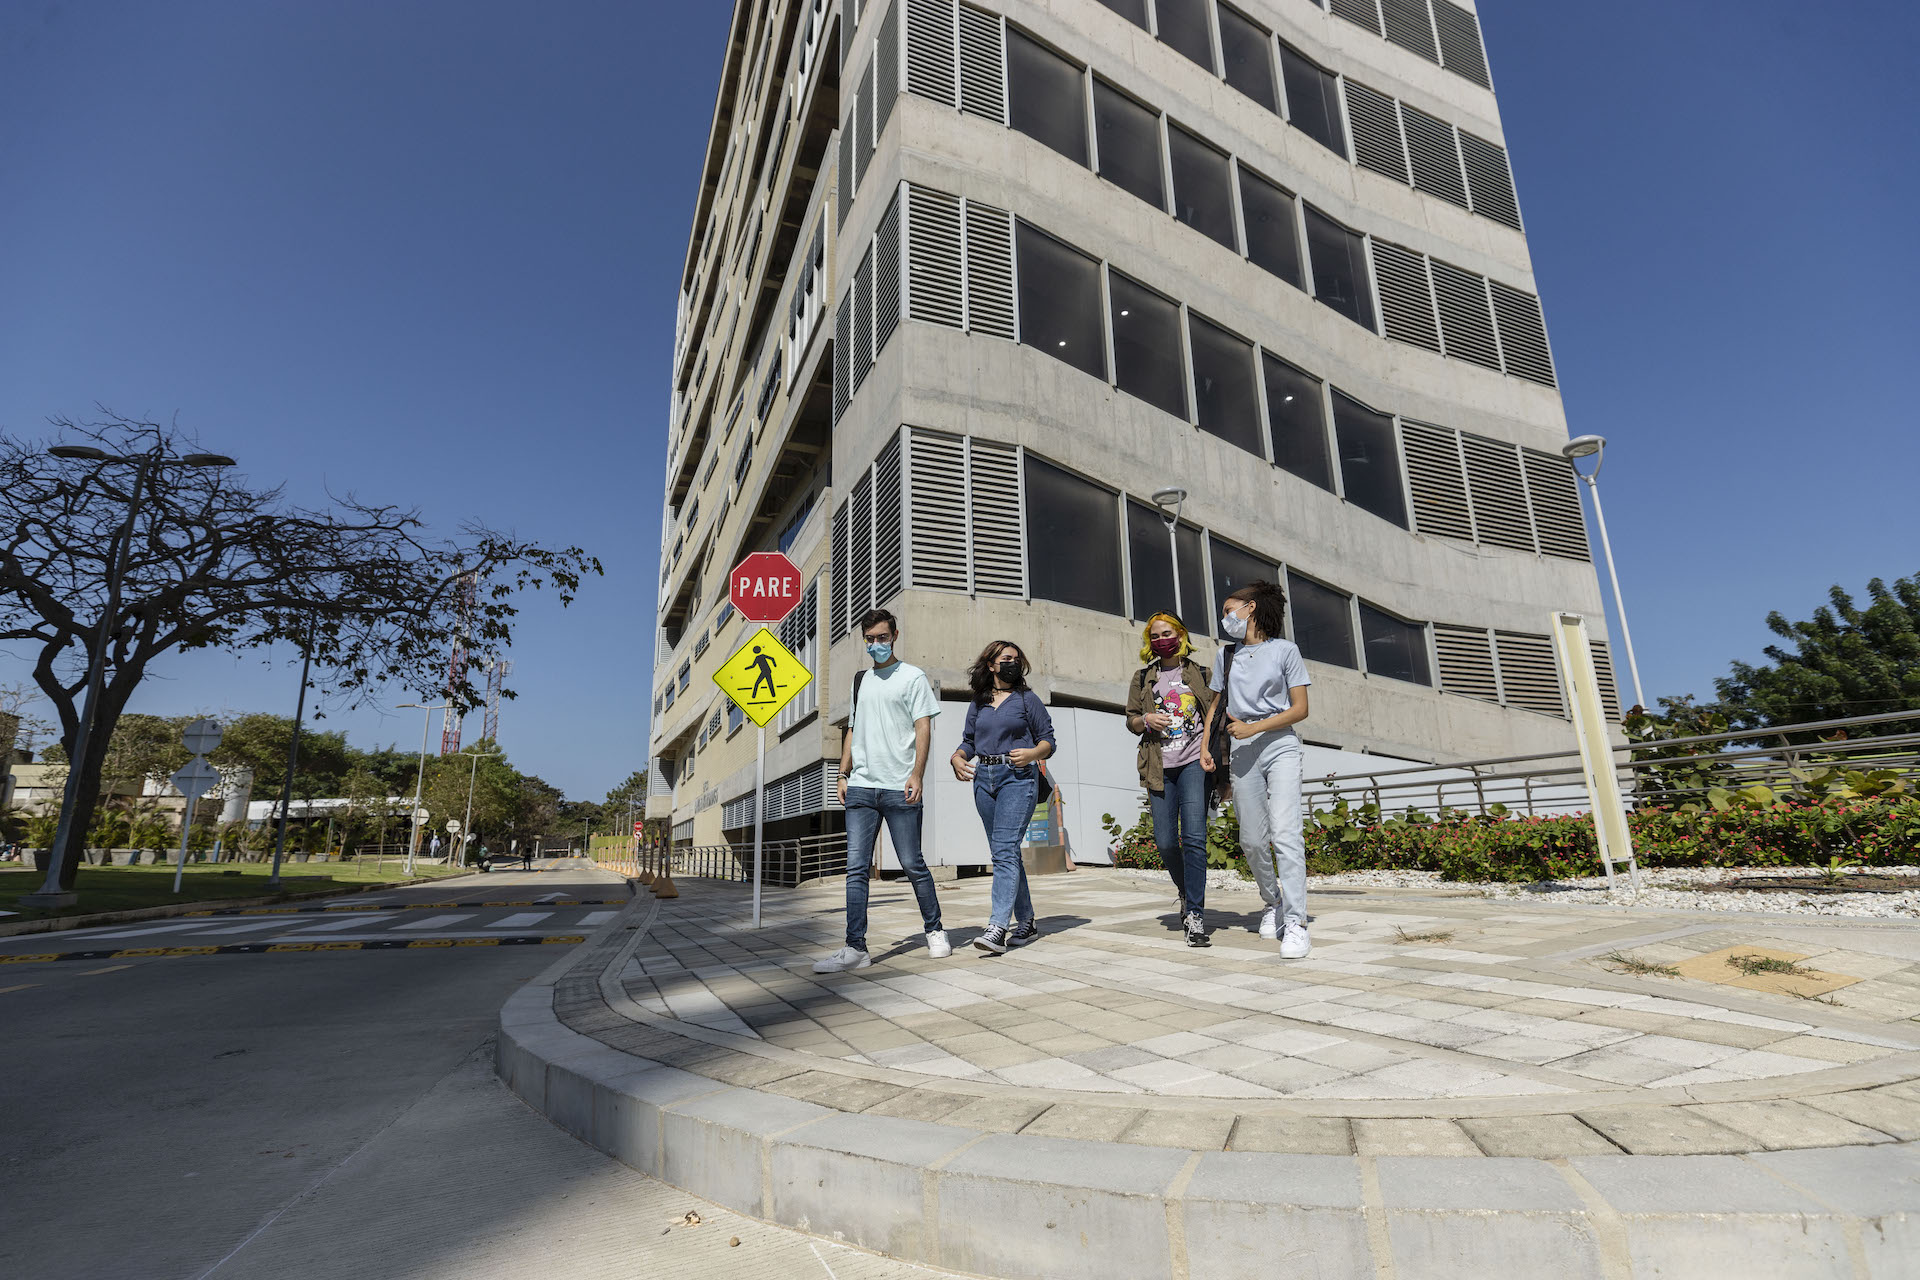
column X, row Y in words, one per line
column 322, row 1102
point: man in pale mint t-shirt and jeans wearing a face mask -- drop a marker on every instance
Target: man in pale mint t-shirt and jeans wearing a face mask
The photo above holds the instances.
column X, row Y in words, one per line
column 884, row 769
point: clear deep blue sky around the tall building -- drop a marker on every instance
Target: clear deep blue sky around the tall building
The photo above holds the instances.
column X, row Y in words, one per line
column 427, row 250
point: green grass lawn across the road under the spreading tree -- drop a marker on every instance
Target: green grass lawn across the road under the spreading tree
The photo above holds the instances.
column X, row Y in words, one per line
column 118, row 889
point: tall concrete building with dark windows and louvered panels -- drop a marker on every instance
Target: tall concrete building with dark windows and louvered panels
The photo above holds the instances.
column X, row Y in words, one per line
column 972, row 281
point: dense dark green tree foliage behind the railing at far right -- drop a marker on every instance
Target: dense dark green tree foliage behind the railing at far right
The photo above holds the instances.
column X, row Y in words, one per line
column 1844, row 661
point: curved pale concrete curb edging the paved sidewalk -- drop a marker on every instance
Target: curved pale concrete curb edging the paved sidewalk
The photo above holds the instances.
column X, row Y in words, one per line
column 1019, row 1206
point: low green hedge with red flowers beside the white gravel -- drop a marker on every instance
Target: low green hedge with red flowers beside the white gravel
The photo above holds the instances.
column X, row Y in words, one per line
column 1508, row 847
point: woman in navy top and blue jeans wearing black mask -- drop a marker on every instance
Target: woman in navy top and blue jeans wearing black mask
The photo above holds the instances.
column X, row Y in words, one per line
column 1007, row 736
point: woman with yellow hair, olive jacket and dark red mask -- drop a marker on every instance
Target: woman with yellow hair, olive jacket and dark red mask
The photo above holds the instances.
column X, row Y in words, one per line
column 1168, row 707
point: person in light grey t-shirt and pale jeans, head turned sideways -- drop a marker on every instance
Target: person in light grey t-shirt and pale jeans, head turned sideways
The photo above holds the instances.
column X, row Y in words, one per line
column 1264, row 694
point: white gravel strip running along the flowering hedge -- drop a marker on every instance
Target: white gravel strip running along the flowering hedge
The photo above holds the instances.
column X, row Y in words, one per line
column 1691, row 889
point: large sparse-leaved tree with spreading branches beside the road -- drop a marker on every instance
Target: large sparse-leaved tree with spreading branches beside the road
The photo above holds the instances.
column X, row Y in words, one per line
column 212, row 563
